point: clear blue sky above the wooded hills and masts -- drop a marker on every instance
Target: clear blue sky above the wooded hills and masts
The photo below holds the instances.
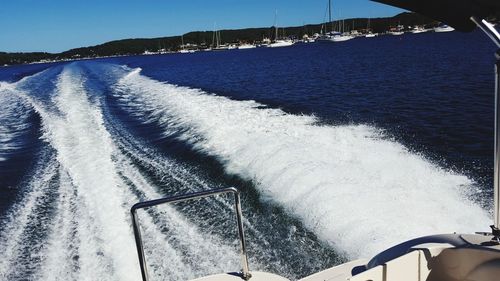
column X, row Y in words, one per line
column 59, row 25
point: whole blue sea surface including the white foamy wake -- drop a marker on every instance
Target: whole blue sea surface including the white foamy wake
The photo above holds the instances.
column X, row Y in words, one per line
column 339, row 151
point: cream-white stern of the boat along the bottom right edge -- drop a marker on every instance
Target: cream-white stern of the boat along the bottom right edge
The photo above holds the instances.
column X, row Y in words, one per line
column 447, row 257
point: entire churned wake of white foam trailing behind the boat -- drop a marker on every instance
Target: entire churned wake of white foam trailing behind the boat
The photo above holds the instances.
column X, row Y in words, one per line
column 323, row 191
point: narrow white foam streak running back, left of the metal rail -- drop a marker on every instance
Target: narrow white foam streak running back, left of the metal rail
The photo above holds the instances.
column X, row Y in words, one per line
column 84, row 150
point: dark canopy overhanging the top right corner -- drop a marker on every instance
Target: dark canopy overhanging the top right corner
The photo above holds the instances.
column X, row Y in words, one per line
column 456, row 13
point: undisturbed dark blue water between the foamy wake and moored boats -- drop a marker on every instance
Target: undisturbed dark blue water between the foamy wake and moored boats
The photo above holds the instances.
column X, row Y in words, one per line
column 432, row 92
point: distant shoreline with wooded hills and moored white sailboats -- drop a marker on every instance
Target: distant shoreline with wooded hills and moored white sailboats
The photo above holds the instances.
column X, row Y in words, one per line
column 218, row 39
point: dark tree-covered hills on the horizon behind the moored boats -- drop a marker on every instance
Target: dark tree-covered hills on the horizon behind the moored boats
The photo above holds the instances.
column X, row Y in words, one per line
column 205, row 38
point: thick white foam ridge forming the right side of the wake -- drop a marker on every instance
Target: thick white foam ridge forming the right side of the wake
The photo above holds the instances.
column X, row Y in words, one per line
column 356, row 189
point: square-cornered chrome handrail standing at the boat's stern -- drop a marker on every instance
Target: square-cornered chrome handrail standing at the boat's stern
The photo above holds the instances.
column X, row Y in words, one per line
column 245, row 274
